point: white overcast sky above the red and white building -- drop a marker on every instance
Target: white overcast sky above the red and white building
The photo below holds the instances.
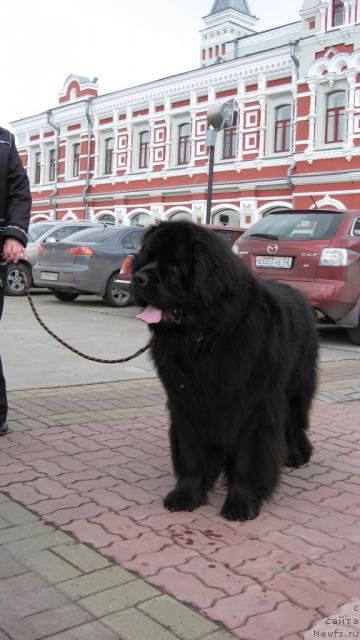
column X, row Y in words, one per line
column 121, row 42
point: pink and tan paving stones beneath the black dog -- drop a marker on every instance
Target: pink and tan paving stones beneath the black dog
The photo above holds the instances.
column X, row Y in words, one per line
column 87, row 550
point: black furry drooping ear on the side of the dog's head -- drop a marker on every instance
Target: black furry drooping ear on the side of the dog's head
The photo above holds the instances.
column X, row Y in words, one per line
column 212, row 273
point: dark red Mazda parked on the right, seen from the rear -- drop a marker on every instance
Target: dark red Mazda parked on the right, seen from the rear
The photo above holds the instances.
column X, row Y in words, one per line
column 318, row 253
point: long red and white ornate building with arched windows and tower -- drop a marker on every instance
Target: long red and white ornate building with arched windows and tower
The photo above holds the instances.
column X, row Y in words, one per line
column 139, row 154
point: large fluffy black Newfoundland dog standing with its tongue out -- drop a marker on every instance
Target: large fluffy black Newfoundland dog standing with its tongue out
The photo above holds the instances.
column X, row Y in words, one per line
column 237, row 357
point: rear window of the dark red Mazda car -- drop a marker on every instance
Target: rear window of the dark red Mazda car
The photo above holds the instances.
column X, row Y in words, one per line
column 305, row 225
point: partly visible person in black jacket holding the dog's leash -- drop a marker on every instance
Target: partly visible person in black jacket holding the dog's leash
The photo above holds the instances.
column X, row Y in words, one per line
column 15, row 206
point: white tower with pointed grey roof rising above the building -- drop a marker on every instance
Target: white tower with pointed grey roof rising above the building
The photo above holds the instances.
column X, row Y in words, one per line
column 227, row 21
